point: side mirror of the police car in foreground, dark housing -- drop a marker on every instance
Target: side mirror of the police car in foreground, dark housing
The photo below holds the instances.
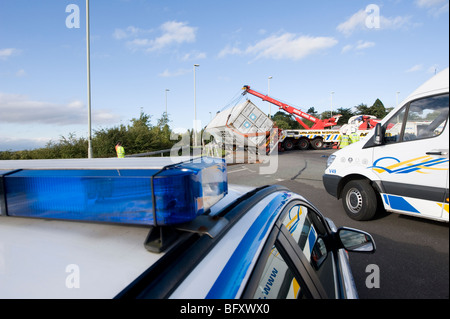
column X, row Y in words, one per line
column 355, row 240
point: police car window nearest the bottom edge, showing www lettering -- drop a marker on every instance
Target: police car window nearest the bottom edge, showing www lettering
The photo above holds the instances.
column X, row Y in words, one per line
column 277, row 280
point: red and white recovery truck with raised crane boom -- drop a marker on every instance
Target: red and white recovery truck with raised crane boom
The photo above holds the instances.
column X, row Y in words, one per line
column 317, row 136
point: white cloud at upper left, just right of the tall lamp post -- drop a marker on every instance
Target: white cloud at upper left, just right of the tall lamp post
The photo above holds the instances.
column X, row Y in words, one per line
column 172, row 32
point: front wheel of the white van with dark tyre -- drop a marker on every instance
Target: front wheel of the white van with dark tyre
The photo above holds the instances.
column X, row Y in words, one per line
column 359, row 200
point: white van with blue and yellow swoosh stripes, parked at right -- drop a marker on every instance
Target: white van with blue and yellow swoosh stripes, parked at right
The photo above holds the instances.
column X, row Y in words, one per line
column 403, row 163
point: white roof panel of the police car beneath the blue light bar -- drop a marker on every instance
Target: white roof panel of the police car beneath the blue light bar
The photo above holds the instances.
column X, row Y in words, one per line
column 66, row 259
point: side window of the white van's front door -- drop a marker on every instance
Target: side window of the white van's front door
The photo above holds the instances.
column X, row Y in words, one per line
column 425, row 118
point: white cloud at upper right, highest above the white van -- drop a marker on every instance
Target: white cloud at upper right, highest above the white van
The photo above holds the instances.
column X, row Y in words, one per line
column 361, row 20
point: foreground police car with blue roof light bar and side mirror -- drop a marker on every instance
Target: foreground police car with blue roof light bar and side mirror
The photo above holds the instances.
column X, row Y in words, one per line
column 163, row 228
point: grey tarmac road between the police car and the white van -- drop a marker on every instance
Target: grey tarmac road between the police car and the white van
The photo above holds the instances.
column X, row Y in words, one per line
column 412, row 253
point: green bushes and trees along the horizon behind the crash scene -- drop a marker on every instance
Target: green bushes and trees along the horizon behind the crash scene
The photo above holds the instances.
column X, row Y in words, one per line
column 140, row 136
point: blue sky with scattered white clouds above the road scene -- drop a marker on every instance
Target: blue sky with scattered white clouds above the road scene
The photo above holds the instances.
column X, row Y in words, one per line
column 322, row 54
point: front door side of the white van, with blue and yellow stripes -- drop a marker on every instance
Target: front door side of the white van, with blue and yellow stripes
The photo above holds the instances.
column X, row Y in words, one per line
column 412, row 164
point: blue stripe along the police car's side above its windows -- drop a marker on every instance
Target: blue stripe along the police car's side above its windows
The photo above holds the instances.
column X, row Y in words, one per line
column 230, row 279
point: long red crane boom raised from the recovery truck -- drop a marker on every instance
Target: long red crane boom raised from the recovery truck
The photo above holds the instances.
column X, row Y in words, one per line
column 318, row 123
